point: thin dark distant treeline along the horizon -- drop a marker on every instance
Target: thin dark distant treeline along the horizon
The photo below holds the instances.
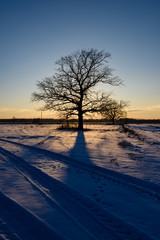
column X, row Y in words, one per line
column 87, row 121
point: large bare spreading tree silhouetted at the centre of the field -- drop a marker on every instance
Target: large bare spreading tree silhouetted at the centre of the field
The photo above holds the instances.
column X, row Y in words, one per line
column 70, row 90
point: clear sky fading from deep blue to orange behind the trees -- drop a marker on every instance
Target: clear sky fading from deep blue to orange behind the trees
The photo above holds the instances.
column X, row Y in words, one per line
column 36, row 33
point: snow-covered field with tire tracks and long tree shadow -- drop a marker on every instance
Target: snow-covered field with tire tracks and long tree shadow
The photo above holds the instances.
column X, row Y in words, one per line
column 103, row 183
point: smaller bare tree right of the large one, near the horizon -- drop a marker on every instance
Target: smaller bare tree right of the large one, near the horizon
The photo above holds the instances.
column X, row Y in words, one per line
column 113, row 110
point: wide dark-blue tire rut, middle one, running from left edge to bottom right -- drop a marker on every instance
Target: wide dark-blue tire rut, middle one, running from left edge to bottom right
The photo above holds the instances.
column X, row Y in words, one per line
column 99, row 221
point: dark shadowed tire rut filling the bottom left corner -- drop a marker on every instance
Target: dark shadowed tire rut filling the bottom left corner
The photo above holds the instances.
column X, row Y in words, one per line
column 17, row 223
